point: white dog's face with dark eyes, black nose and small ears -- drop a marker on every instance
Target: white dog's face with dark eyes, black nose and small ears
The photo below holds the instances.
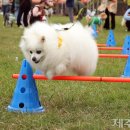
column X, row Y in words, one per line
column 33, row 48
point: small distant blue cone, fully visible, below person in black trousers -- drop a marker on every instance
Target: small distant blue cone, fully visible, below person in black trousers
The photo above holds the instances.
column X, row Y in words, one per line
column 111, row 39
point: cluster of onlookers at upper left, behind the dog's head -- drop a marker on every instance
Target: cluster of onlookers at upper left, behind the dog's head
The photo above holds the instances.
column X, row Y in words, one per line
column 26, row 12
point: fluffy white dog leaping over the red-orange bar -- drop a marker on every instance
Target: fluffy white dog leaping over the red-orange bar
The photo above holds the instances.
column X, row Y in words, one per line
column 60, row 52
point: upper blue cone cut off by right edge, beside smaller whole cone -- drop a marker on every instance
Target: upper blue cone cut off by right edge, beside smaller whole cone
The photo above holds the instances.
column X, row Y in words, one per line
column 126, row 46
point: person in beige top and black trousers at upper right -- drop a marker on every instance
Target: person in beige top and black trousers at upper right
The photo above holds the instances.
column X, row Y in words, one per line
column 111, row 10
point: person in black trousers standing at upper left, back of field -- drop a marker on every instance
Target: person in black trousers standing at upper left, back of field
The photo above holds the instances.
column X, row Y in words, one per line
column 24, row 8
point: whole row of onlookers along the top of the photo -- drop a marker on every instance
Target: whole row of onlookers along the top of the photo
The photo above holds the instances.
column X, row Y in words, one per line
column 28, row 11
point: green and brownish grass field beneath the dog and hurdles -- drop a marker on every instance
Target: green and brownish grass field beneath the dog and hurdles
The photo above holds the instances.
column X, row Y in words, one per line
column 69, row 105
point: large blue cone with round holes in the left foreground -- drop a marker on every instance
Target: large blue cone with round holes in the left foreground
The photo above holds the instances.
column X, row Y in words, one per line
column 25, row 98
